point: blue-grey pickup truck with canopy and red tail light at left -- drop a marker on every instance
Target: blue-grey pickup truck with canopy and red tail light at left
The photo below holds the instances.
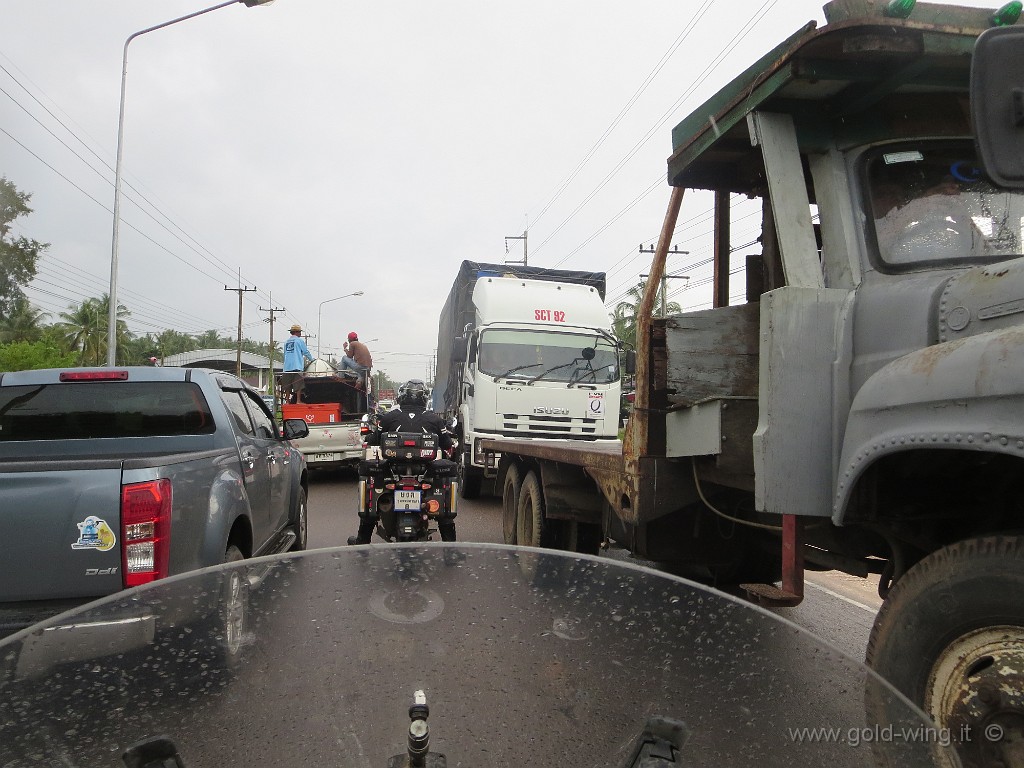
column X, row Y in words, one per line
column 116, row 478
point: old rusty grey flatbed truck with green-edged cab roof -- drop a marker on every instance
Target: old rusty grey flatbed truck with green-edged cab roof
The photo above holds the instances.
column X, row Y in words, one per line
column 863, row 410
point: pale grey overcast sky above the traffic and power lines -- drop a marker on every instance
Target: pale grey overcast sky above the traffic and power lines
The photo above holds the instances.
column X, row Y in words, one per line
column 325, row 147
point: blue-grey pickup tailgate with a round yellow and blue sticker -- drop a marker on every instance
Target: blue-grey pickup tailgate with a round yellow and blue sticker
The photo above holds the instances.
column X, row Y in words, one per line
column 61, row 530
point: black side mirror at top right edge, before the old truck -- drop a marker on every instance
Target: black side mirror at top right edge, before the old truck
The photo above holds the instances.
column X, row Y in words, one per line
column 998, row 104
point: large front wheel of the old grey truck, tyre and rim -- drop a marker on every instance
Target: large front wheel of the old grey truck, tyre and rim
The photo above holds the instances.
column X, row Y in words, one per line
column 951, row 637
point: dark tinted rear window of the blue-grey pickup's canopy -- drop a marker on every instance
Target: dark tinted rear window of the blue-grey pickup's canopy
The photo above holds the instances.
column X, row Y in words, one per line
column 91, row 410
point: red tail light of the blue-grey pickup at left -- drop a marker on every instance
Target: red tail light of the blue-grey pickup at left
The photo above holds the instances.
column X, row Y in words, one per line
column 146, row 531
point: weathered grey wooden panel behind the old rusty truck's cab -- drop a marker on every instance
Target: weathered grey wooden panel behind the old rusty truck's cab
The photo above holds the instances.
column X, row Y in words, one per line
column 713, row 354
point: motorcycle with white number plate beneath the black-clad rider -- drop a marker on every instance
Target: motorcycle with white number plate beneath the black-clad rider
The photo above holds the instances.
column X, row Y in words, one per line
column 410, row 488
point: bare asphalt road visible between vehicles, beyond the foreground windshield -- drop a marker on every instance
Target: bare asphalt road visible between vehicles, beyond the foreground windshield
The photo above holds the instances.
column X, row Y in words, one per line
column 837, row 608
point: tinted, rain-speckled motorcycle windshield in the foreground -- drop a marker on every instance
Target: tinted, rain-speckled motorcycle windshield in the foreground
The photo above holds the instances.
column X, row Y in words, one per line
column 526, row 658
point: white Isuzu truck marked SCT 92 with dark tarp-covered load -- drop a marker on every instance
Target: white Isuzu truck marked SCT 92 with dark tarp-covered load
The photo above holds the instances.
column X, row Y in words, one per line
column 526, row 353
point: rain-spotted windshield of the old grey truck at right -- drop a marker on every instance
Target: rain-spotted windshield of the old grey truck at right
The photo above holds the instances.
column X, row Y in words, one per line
column 931, row 204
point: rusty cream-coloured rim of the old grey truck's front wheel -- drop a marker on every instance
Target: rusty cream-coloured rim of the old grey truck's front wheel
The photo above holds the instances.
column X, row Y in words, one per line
column 976, row 691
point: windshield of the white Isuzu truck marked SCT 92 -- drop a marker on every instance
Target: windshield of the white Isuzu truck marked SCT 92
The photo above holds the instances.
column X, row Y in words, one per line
column 533, row 353
